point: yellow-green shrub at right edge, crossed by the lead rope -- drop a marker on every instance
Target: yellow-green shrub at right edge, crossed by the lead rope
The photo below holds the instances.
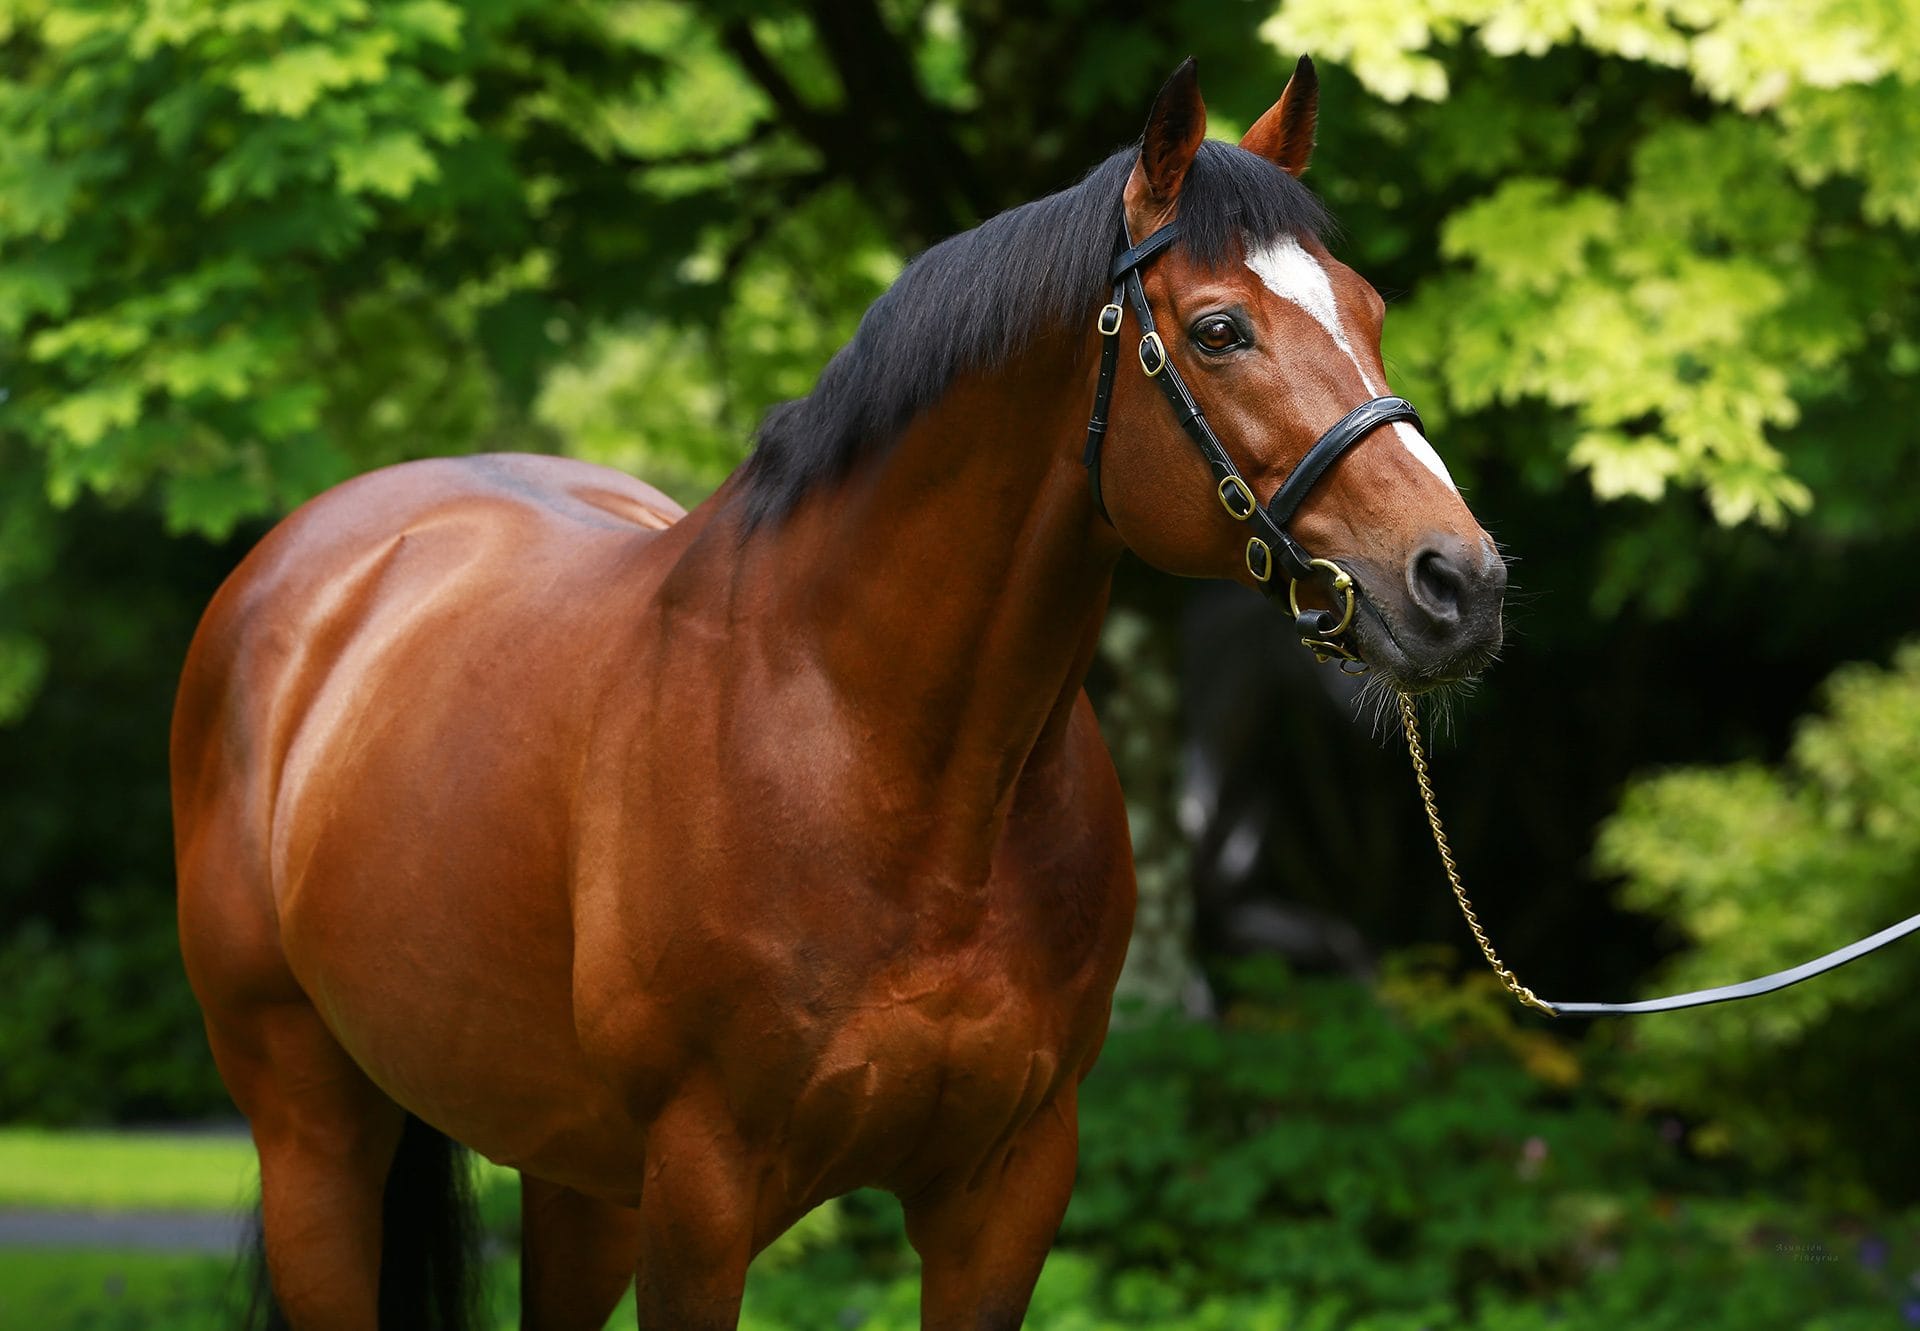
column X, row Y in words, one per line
column 1760, row 869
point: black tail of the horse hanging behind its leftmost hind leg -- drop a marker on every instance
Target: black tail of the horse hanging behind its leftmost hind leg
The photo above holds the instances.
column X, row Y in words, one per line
column 429, row 1249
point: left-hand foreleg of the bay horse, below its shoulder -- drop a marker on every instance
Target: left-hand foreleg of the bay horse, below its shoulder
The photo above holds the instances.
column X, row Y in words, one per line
column 696, row 1219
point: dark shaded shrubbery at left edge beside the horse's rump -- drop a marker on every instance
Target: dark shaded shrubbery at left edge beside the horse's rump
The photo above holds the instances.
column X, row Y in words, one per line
column 97, row 1023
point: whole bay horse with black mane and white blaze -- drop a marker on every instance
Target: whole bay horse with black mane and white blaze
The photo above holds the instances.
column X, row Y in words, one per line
column 706, row 867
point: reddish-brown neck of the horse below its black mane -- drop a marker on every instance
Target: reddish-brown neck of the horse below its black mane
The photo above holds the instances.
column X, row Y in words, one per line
column 953, row 593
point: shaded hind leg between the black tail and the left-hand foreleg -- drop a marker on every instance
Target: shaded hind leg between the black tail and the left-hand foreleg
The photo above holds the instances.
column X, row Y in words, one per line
column 577, row 1257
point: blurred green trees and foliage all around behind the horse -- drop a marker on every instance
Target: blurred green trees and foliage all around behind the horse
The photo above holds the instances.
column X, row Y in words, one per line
column 1654, row 278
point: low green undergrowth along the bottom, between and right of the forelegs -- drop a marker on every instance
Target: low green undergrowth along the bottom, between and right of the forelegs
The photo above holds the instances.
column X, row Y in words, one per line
column 1332, row 1159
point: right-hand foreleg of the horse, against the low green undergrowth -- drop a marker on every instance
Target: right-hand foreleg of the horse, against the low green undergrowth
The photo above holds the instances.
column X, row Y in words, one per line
column 982, row 1242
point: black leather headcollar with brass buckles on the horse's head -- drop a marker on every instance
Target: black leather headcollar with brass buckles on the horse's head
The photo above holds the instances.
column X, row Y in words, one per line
column 1270, row 543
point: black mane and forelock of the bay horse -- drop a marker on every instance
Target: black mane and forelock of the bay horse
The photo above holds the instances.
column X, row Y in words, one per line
column 978, row 301
